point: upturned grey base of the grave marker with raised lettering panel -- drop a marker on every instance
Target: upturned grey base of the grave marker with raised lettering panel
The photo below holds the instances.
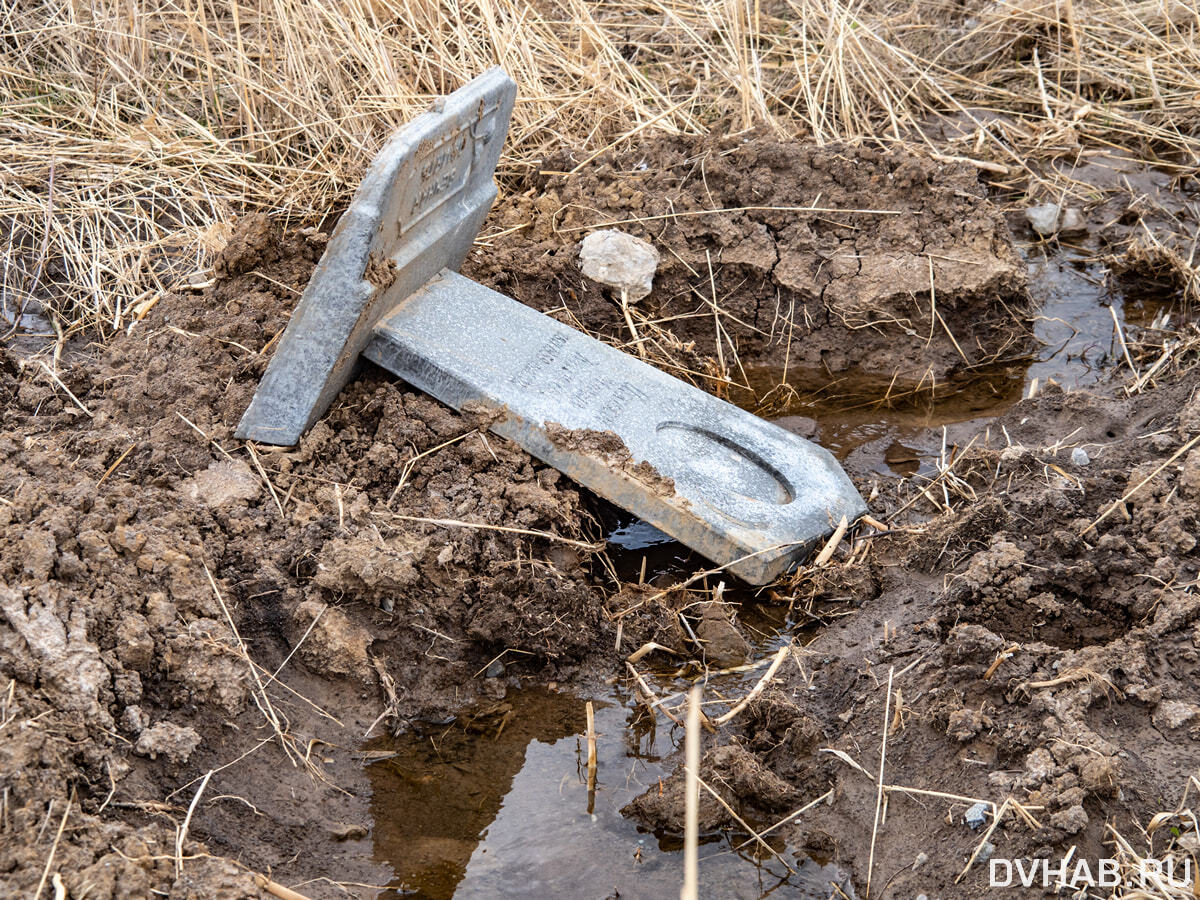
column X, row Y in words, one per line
column 417, row 213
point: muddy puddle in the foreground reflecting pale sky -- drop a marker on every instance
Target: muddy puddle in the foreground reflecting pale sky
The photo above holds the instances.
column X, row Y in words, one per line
column 497, row 805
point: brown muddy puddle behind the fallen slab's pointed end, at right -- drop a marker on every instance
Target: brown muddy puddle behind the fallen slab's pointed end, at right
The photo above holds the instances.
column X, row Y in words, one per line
column 877, row 428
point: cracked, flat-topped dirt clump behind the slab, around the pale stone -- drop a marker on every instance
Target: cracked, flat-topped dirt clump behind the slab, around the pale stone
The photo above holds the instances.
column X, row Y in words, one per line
column 824, row 257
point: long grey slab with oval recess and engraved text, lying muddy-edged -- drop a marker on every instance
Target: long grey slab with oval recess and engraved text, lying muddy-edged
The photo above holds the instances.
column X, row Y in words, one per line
column 743, row 489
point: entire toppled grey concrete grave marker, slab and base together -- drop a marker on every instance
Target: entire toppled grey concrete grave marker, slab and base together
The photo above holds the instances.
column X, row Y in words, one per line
column 736, row 489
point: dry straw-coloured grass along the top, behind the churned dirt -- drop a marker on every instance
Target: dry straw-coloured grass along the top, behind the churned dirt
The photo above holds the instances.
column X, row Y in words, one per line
column 135, row 130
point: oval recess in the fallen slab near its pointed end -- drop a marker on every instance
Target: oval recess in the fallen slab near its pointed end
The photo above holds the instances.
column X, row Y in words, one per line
column 717, row 467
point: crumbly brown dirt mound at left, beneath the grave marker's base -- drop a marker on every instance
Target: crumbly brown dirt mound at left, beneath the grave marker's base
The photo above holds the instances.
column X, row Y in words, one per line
column 117, row 640
